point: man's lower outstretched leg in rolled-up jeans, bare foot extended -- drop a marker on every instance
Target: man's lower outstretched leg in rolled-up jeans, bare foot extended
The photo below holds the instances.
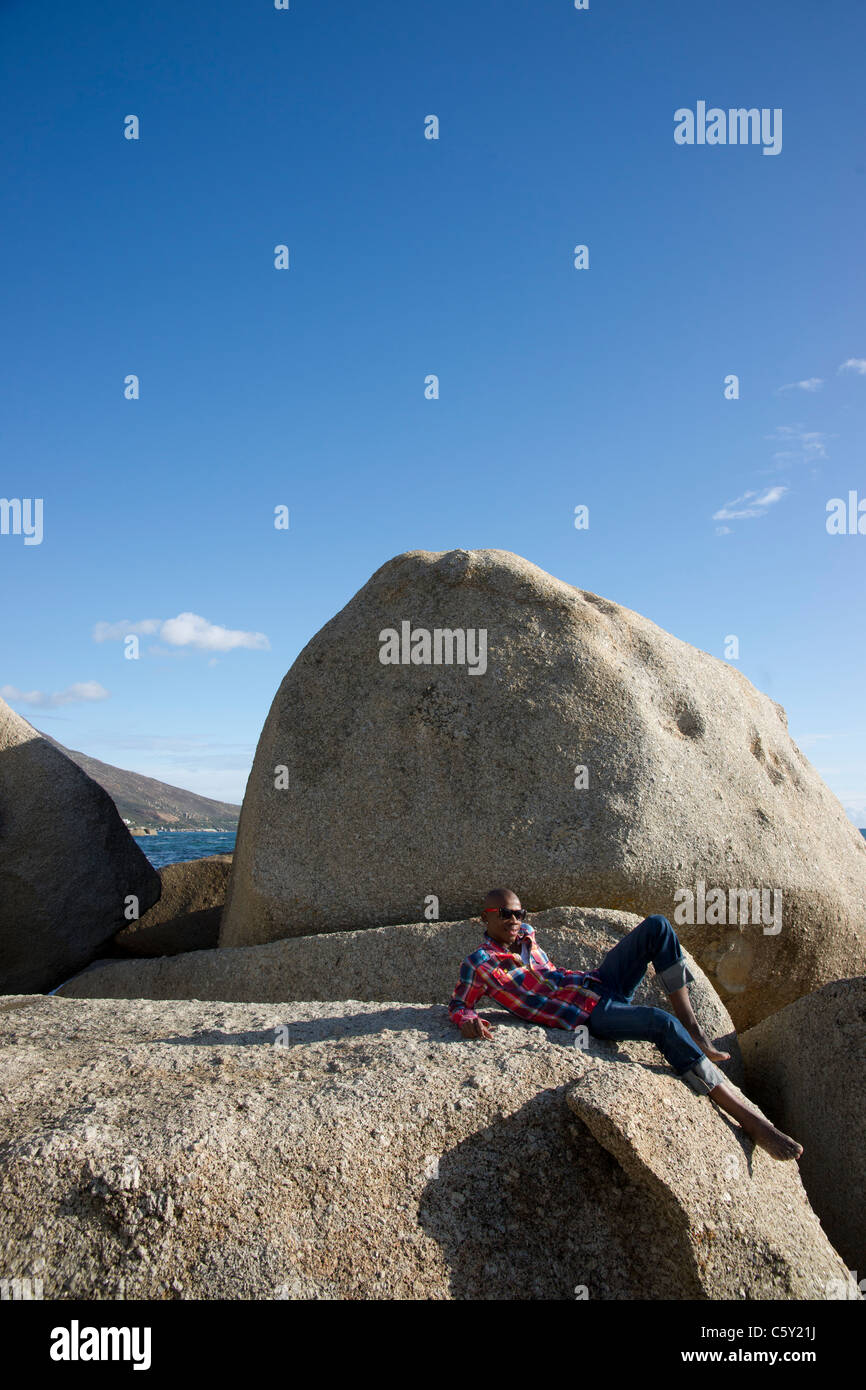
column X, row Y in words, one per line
column 621, row 1022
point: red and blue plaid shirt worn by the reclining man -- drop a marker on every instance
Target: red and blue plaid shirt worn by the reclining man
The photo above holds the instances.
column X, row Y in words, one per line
column 526, row 982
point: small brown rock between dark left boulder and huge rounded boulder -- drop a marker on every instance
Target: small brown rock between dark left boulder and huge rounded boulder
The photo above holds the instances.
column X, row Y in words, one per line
column 187, row 918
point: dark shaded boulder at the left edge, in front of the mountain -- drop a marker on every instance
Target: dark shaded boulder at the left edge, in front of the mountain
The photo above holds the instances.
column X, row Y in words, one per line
column 70, row 869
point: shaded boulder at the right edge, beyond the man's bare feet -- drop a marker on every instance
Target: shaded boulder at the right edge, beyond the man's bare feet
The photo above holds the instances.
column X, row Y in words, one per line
column 807, row 1068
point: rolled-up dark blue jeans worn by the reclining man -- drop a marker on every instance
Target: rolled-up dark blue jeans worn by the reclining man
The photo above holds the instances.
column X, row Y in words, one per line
column 615, row 1017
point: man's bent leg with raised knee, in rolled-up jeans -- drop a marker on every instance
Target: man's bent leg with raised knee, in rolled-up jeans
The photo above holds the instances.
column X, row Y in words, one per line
column 654, row 940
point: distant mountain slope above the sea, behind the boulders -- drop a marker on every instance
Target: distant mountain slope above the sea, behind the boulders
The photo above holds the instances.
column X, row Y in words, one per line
column 154, row 806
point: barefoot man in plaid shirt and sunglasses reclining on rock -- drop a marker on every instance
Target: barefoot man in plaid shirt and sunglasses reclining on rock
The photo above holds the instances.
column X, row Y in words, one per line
column 516, row 972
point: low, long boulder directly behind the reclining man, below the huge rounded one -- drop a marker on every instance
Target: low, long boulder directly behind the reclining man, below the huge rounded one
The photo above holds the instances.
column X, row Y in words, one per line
column 418, row 964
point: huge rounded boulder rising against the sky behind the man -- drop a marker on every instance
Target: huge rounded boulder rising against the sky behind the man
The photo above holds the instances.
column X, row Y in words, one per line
column 376, row 786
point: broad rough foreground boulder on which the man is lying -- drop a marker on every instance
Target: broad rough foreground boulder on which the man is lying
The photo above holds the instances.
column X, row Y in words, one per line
column 357, row 1150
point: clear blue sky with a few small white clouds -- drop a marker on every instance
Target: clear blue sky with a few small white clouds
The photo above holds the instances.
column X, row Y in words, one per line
column 558, row 387
